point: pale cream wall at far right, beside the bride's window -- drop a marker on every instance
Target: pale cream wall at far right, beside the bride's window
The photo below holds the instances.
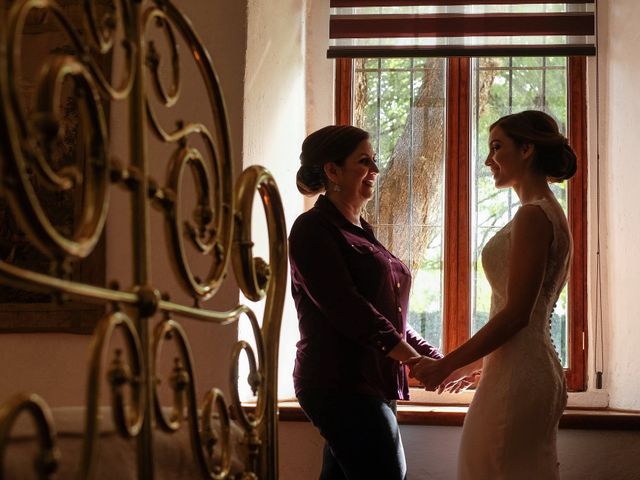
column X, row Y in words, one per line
column 620, row 230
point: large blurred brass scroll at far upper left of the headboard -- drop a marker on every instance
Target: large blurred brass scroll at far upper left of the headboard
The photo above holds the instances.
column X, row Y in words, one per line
column 36, row 133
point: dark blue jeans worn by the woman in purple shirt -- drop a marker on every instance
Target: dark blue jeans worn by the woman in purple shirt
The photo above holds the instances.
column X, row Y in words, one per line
column 361, row 432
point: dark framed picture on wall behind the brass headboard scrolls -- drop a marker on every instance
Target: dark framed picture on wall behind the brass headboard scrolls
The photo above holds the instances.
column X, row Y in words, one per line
column 23, row 311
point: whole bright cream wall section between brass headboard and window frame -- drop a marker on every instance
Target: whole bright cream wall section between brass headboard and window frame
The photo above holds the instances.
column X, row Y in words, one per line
column 288, row 94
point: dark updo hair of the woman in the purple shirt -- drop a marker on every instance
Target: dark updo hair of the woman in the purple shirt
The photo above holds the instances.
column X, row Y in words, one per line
column 333, row 143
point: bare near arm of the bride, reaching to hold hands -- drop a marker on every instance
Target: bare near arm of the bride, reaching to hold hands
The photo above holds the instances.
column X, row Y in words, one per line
column 531, row 235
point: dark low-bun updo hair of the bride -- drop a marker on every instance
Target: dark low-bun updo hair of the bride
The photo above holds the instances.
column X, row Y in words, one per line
column 554, row 157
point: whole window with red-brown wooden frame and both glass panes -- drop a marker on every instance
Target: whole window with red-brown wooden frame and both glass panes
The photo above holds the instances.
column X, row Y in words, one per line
column 436, row 204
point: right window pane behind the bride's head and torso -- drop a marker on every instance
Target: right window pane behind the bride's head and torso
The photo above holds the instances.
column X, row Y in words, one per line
column 500, row 87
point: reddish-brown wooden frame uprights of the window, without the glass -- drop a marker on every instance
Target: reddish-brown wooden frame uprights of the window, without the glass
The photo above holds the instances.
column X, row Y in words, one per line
column 457, row 251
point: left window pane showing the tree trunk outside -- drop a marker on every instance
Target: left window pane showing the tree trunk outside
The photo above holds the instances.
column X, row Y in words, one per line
column 401, row 103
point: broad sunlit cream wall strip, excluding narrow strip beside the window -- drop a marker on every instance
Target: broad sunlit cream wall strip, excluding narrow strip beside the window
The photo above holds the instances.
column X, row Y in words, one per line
column 274, row 127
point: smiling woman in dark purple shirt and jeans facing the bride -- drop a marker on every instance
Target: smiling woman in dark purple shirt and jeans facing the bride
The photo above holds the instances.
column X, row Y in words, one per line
column 352, row 296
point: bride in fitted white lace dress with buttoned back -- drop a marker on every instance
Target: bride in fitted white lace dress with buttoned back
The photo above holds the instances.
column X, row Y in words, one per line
column 510, row 430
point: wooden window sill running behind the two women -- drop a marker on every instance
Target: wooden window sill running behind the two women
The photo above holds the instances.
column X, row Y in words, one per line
column 578, row 414
